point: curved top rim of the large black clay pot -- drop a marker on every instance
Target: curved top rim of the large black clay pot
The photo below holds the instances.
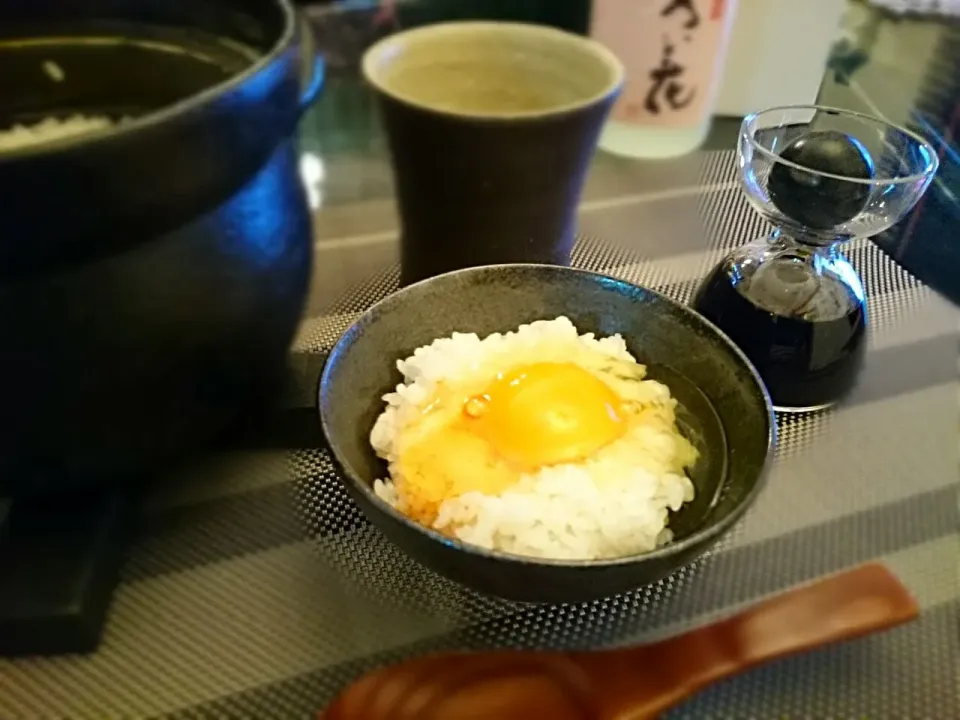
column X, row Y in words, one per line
column 167, row 112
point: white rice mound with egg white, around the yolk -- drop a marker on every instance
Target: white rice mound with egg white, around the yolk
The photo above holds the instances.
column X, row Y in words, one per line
column 612, row 503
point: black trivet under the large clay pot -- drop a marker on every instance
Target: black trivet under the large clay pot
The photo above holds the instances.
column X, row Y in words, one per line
column 61, row 555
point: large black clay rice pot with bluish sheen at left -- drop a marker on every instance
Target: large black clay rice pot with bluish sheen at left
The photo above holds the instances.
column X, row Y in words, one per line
column 151, row 276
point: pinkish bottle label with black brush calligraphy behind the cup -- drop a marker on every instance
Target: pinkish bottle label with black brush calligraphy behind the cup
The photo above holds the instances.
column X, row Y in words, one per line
column 672, row 51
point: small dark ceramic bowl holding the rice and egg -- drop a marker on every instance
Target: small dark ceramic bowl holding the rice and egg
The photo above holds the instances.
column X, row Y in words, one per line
column 725, row 411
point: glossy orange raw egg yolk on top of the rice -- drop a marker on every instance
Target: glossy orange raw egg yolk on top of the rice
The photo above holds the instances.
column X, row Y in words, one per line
column 546, row 414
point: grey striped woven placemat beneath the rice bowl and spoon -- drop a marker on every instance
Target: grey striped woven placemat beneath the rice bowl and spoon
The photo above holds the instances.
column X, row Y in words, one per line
column 256, row 589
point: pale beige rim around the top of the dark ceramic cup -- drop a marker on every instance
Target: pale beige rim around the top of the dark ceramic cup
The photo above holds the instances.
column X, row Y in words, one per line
column 383, row 47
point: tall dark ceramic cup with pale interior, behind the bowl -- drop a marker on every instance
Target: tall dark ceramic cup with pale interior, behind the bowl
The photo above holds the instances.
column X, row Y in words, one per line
column 491, row 128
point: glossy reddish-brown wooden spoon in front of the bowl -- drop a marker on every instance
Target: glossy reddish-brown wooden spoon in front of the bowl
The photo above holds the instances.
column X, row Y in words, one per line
column 630, row 684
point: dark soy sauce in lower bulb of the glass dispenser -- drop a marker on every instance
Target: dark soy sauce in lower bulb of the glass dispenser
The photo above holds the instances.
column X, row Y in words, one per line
column 808, row 357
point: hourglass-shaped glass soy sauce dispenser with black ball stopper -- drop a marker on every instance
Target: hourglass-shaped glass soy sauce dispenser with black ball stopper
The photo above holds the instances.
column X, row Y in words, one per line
column 792, row 301
